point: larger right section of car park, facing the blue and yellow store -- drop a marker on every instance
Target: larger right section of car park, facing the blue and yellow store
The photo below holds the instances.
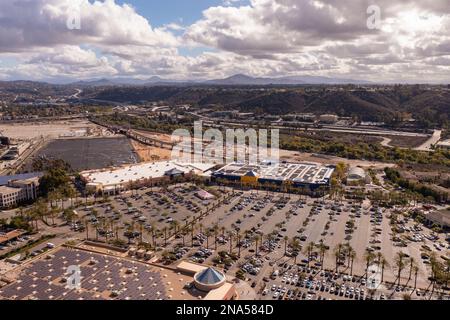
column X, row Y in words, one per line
column 361, row 225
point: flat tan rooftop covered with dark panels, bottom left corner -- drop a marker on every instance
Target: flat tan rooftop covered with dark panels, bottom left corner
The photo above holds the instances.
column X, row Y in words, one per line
column 101, row 275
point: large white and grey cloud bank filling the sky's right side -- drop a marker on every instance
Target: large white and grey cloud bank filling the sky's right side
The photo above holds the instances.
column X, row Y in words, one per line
column 331, row 35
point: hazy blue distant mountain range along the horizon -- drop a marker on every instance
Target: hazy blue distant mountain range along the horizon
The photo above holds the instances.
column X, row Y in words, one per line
column 238, row 79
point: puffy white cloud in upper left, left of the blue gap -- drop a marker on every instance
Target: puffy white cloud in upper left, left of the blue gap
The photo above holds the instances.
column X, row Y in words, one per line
column 29, row 24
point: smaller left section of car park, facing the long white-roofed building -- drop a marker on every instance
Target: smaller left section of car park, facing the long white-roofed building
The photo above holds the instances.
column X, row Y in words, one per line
column 142, row 211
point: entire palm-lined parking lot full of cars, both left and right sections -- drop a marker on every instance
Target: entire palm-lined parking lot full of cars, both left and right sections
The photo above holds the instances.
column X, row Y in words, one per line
column 274, row 231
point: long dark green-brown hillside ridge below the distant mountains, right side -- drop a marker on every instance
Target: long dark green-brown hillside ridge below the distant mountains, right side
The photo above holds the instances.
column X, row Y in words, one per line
column 429, row 107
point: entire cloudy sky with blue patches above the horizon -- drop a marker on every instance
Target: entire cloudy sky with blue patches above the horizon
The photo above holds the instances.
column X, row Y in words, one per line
column 377, row 40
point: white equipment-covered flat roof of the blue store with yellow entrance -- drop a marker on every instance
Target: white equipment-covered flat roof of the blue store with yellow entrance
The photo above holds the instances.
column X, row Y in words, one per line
column 310, row 173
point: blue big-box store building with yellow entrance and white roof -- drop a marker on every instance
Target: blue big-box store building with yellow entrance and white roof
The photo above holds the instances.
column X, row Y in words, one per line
column 310, row 176
